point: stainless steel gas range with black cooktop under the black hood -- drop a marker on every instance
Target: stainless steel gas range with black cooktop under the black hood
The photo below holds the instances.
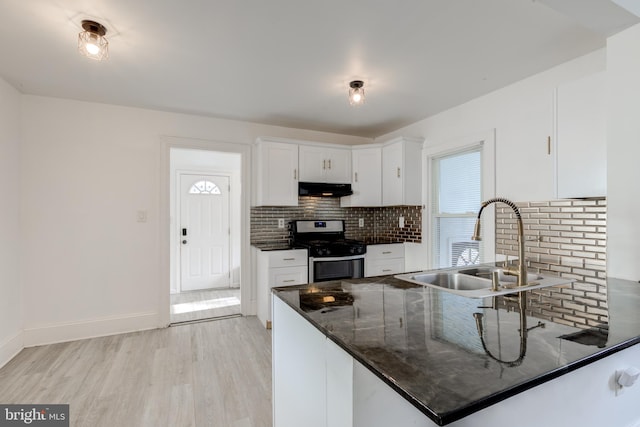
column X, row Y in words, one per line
column 331, row 255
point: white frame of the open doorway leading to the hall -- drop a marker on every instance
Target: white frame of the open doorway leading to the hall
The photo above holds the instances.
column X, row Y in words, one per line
column 247, row 297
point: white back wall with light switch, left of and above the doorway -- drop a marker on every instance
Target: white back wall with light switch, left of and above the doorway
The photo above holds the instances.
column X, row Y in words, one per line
column 90, row 268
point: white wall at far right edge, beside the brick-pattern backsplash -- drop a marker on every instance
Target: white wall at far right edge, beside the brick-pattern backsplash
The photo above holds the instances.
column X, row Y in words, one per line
column 623, row 154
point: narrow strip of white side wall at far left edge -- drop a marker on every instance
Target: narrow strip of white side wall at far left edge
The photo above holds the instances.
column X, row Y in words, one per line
column 10, row 290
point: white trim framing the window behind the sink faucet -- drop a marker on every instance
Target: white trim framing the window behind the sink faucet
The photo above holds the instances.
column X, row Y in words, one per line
column 487, row 139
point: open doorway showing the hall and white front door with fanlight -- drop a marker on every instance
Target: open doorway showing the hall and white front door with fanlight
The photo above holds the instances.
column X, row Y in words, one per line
column 205, row 234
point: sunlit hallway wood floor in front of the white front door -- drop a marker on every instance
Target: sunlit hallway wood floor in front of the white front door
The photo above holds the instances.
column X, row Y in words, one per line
column 205, row 304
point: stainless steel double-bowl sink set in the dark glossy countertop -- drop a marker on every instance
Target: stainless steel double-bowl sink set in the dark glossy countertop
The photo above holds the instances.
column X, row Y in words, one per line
column 476, row 282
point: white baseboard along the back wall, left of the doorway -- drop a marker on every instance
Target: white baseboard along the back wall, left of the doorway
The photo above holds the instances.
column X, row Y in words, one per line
column 63, row 332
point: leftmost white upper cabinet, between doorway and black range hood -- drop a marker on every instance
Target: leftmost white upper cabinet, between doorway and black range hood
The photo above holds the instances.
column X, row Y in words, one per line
column 276, row 173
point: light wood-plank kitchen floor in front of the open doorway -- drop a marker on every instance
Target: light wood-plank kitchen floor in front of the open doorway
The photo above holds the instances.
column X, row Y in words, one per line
column 215, row 373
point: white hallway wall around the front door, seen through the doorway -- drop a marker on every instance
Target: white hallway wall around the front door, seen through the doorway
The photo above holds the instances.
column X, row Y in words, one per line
column 185, row 160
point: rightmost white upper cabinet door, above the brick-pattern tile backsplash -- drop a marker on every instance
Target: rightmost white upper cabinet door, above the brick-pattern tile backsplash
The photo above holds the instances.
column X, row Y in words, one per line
column 581, row 152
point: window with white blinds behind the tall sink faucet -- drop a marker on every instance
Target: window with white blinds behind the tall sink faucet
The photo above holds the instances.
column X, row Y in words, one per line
column 457, row 194
